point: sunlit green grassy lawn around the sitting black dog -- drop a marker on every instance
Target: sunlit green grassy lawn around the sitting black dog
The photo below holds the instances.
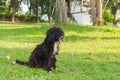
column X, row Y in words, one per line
column 86, row 53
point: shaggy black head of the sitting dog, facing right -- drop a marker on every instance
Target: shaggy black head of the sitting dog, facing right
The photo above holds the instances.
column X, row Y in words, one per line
column 55, row 34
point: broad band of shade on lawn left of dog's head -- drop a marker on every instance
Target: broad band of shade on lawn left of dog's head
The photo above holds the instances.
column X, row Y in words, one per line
column 24, row 34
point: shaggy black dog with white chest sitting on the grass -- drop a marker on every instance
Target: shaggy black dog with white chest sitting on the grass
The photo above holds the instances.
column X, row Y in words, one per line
column 44, row 54
